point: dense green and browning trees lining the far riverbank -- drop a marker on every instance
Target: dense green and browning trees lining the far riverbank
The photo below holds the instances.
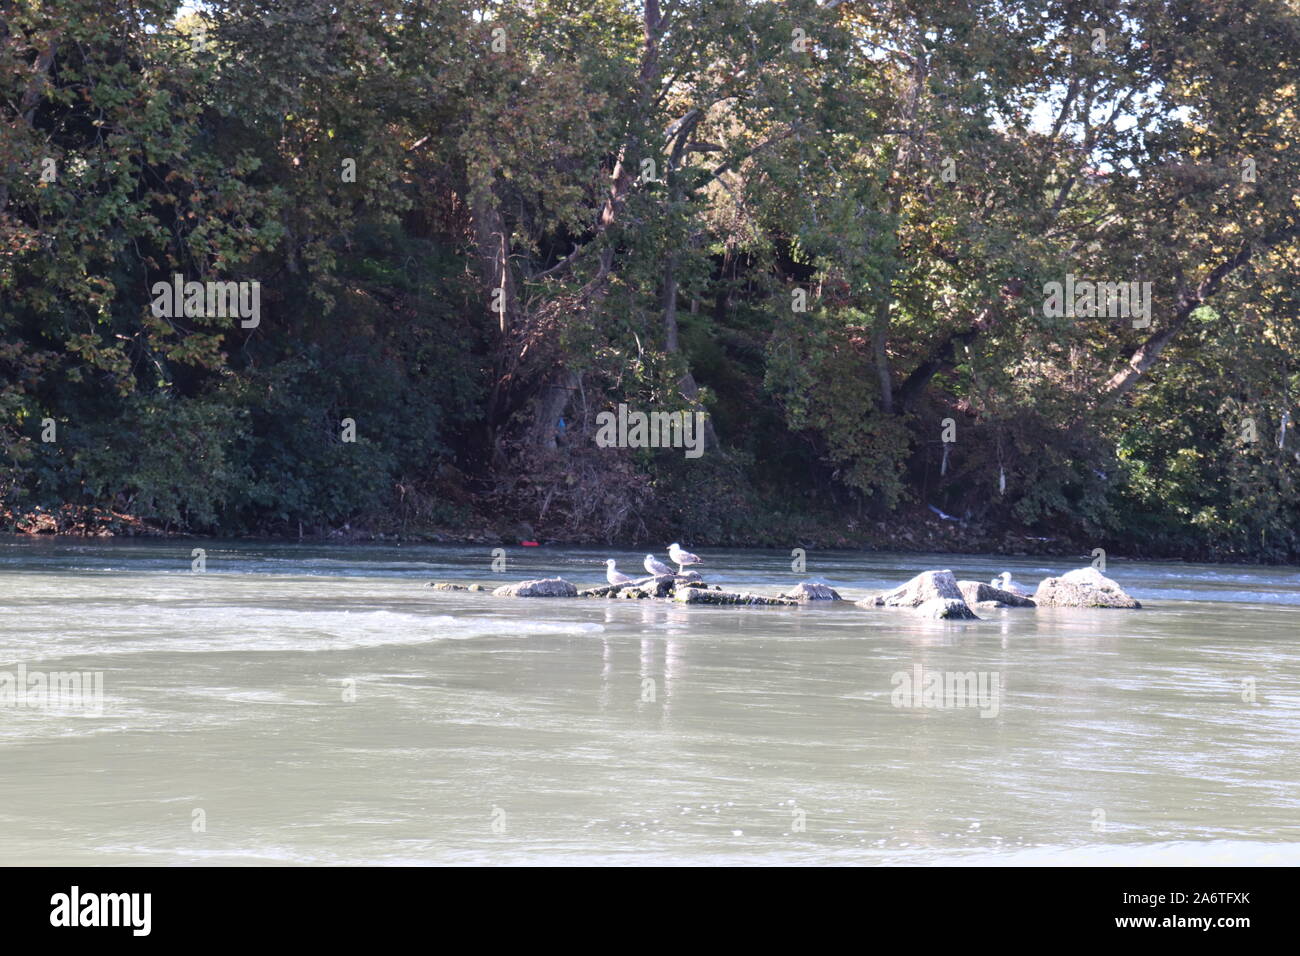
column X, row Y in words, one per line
column 827, row 226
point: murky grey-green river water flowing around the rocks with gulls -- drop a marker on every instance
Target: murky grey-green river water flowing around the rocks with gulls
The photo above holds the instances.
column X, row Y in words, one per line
column 313, row 704
